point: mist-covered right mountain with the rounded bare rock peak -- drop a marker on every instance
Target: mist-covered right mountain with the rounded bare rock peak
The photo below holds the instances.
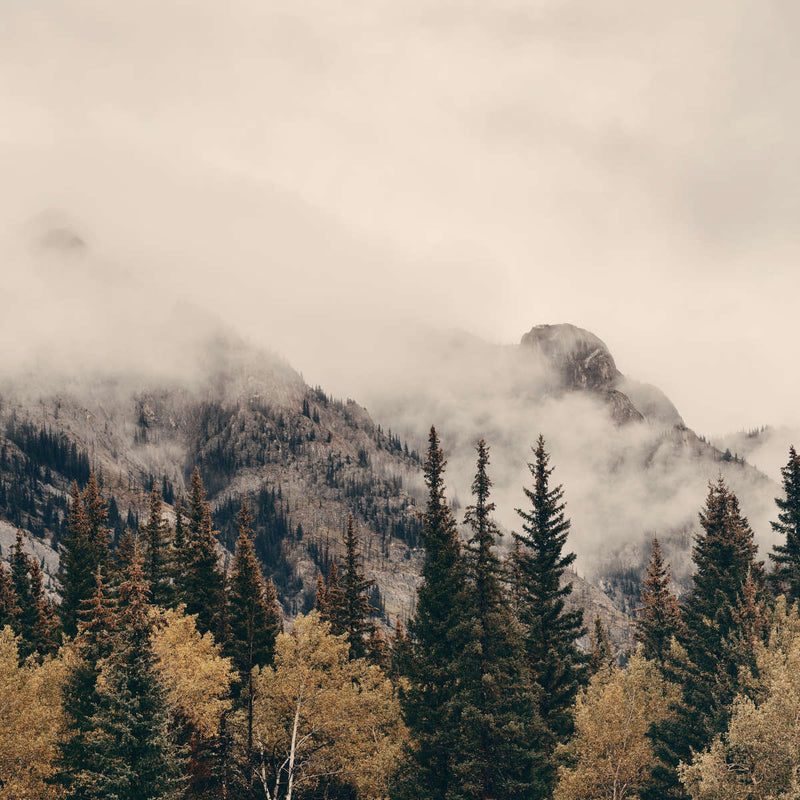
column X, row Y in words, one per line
column 630, row 467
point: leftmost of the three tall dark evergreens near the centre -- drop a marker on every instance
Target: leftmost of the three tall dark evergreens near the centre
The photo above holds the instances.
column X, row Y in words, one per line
column 435, row 638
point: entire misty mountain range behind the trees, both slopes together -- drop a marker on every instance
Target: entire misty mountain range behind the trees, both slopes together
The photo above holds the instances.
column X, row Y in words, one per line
column 251, row 424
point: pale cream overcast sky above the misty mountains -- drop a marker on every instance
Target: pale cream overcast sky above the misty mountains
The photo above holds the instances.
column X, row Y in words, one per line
column 324, row 175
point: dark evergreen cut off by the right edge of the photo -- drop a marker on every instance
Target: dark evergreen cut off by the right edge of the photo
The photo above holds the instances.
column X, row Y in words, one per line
column 786, row 555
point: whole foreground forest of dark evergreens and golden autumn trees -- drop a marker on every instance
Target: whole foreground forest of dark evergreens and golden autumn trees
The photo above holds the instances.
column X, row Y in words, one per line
column 159, row 674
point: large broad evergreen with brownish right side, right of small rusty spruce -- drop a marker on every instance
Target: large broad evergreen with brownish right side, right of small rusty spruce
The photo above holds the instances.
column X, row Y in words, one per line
column 715, row 617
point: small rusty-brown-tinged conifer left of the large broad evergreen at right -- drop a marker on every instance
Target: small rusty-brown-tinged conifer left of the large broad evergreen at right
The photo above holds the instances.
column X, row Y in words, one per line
column 659, row 618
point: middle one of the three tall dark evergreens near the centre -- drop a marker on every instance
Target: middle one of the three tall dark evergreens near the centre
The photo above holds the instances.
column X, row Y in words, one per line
column 499, row 753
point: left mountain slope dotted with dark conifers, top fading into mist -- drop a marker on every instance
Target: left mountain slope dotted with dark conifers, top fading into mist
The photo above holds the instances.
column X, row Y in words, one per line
column 252, row 426
